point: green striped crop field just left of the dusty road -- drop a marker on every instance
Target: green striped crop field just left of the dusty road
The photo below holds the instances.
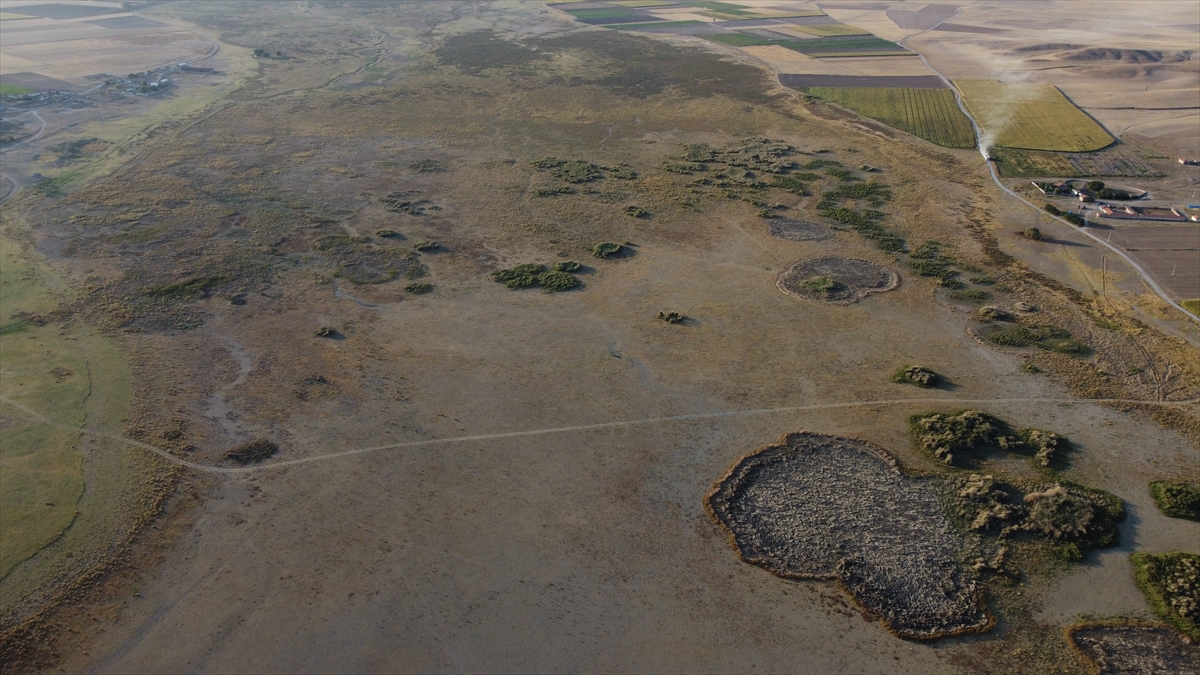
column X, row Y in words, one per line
column 927, row 114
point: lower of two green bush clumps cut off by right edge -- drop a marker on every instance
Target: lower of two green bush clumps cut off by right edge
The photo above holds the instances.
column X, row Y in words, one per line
column 1172, row 583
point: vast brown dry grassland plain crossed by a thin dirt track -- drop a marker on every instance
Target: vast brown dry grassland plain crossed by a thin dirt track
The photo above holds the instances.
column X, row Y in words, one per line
column 224, row 256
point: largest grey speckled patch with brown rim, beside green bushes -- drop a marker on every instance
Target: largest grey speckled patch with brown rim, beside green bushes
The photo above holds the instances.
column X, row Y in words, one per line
column 825, row 507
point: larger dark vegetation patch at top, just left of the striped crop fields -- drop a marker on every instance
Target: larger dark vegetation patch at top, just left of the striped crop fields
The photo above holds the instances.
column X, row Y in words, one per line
column 640, row 67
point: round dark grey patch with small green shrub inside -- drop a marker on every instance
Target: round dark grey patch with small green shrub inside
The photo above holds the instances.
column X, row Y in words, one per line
column 837, row 280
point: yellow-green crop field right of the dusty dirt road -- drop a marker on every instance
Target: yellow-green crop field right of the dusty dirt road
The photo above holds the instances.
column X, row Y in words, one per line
column 1031, row 117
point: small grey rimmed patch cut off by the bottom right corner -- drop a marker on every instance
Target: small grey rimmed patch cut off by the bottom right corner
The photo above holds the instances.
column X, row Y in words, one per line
column 1135, row 649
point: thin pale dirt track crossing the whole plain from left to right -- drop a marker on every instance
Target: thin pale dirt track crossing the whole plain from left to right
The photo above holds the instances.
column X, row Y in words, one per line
column 595, row 427
